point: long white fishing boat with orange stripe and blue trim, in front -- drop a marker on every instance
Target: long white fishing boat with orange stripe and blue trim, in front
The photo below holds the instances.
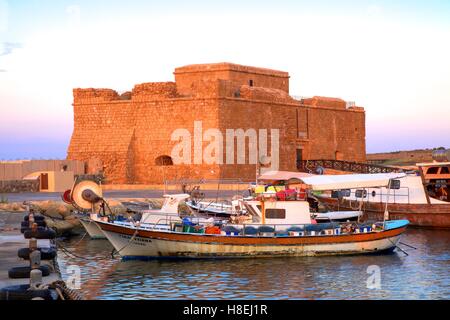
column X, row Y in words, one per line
column 271, row 227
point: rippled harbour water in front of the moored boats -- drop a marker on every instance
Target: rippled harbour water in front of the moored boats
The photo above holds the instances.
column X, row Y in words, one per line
column 422, row 274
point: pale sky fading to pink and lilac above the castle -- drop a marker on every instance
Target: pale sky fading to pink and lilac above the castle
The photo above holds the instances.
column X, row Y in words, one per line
column 391, row 57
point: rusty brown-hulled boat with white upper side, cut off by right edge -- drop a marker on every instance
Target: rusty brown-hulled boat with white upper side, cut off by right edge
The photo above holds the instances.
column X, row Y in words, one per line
column 422, row 197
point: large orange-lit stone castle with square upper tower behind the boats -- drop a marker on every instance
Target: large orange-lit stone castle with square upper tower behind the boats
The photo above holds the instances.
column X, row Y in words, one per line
column 129, row 136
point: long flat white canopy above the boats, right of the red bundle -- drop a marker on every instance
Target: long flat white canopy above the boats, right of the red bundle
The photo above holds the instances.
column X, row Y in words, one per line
column 350, row 181
